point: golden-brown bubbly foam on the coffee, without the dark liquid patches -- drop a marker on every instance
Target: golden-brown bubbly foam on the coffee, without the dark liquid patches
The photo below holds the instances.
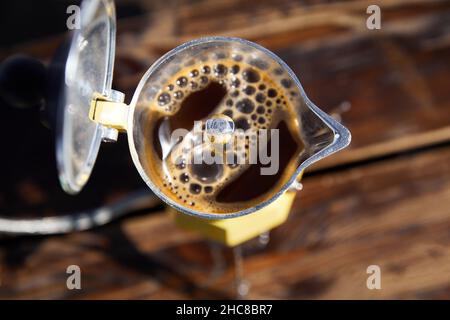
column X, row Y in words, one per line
column 257, row 95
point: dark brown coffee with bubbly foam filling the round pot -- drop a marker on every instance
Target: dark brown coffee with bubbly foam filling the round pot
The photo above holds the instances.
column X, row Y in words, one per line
column 256, row 96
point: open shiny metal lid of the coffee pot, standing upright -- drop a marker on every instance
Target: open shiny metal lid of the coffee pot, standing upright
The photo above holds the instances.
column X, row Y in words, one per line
column 88, row 70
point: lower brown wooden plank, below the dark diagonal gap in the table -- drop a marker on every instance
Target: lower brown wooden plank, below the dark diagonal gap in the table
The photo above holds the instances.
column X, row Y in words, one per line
column 394, row 214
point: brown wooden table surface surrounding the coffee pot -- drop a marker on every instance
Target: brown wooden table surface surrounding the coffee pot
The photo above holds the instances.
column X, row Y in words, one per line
column 384, row 201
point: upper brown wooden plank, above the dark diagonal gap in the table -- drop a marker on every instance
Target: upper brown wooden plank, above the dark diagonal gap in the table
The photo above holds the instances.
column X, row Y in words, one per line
column 389, row 86
